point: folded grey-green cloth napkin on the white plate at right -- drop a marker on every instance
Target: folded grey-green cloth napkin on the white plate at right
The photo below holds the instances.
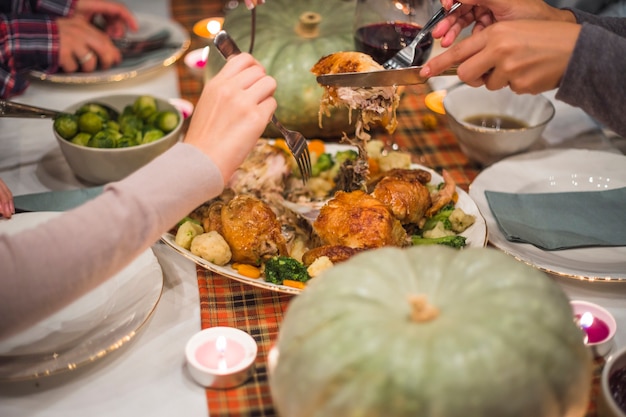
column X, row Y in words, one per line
column 565, row 220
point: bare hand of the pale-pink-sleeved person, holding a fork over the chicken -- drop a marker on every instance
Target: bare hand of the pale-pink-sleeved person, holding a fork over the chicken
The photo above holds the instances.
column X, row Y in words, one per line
column 234, row 109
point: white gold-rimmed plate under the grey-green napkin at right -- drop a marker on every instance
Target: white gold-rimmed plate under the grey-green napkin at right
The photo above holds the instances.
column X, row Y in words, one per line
column 556, row 170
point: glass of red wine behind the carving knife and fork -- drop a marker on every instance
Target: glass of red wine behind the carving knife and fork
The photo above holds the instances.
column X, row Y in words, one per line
column 383, row 27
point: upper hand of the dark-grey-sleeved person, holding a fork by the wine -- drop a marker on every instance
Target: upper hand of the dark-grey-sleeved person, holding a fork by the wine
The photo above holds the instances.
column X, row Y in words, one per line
column 490, row 11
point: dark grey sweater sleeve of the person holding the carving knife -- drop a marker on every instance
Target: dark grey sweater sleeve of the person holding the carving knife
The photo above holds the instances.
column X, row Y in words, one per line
column 595, row 75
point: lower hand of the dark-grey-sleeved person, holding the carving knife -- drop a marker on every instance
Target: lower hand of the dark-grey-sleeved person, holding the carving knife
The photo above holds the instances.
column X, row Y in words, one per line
column 530, row 56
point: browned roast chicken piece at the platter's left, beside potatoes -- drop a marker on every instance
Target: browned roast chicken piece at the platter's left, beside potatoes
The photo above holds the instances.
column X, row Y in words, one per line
column 251, row 229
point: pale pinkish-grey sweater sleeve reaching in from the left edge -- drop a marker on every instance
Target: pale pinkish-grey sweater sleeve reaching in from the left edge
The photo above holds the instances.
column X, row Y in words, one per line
column 59, row 261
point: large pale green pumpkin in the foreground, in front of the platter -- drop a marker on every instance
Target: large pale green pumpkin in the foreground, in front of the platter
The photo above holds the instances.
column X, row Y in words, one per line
column 431, row 331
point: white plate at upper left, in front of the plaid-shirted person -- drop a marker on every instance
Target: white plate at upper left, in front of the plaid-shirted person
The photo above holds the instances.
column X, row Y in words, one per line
column 132, row 67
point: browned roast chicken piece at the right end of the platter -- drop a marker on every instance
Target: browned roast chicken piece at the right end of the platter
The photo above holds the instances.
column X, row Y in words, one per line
column 408, row 200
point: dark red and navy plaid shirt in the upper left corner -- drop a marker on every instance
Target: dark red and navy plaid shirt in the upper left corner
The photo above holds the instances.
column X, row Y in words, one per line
column 29, row 40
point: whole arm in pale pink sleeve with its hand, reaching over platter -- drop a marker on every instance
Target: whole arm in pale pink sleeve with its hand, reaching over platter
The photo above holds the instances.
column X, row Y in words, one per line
column 51, row 266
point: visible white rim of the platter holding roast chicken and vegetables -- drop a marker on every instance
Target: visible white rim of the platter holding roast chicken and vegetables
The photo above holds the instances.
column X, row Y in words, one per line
column 476, row 236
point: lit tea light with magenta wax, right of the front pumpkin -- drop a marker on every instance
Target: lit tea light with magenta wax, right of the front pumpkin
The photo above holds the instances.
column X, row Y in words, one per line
column 598, row 325
